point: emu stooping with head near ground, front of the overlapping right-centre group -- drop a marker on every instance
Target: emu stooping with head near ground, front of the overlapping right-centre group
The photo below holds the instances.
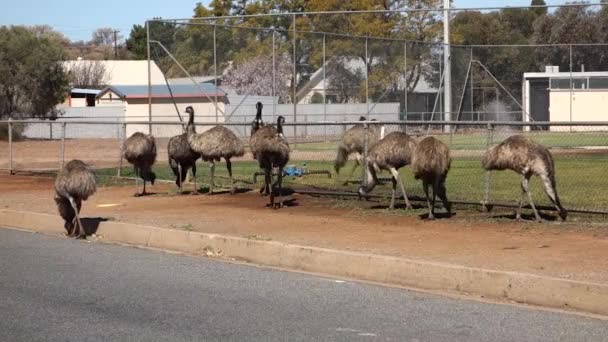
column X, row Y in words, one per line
column 390, row 153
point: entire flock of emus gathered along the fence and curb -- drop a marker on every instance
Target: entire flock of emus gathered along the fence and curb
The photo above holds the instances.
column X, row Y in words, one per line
column 428, row 157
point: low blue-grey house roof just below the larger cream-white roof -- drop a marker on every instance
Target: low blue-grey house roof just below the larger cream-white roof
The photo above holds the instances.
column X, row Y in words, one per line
column 162, row 91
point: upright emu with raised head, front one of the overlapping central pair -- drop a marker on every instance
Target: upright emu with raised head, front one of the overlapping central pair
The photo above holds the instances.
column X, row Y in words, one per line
column 272, row 150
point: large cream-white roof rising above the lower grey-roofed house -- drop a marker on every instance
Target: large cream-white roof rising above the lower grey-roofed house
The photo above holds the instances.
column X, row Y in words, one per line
column 119, row 72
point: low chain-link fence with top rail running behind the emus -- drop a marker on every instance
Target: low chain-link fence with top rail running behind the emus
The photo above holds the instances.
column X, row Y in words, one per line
column 580, row 151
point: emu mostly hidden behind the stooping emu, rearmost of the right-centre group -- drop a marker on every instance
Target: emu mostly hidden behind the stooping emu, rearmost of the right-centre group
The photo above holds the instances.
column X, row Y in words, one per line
column 353, row 141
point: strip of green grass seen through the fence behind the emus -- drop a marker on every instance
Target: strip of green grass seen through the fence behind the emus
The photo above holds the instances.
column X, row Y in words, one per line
column 581, row 180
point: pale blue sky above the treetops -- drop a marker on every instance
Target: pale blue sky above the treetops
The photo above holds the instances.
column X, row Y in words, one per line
column 77, row 19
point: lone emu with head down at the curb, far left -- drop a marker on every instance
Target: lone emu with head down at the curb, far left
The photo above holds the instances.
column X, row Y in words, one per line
column 74, row 183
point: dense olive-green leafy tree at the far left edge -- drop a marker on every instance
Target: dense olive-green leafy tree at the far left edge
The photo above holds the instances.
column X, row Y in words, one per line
column 32, row 81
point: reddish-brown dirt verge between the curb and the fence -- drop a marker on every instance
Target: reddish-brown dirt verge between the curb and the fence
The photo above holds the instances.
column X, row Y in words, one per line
column 574, row 250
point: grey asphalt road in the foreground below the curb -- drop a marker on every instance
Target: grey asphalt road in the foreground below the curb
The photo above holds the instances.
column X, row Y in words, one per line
column 59, row 289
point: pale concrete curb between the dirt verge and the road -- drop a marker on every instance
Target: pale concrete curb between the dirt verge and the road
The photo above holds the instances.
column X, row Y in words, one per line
column 518, row 287
